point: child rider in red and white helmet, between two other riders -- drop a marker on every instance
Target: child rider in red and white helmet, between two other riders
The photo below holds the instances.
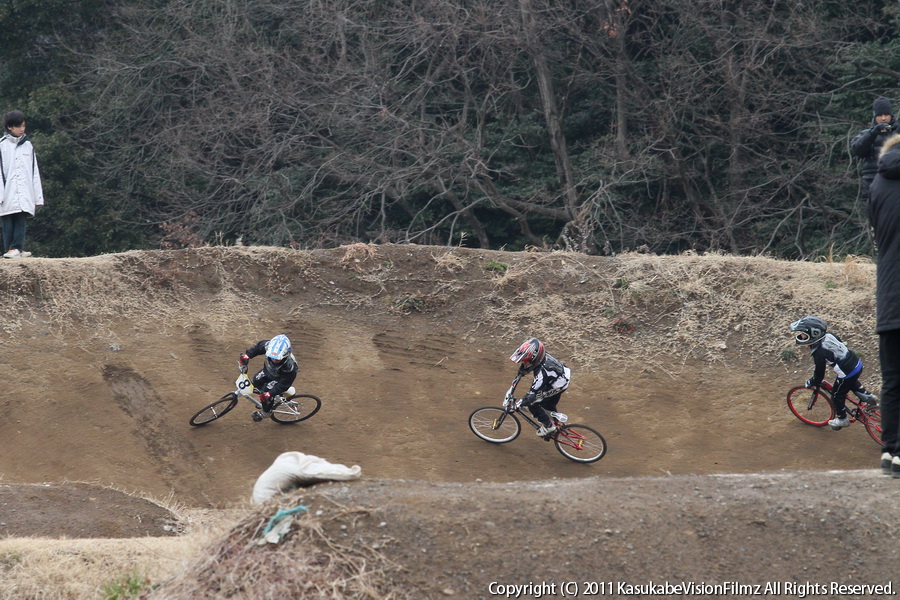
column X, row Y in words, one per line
column 551, row 378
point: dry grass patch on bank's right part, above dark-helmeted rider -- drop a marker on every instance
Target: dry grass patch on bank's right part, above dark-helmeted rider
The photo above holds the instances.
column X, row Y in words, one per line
column 637, row 308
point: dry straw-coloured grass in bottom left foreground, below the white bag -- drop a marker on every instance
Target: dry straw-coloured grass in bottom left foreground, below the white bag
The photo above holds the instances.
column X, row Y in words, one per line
column 218, row 557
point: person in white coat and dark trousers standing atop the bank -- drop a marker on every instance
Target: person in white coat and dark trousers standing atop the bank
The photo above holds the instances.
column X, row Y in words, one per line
column 22, row 192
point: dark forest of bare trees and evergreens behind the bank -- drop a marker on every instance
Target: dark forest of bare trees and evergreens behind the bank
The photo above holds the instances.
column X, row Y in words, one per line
column 600, row 126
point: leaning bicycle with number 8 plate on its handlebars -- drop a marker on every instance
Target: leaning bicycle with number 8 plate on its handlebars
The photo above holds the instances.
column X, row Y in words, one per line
column 287, row 408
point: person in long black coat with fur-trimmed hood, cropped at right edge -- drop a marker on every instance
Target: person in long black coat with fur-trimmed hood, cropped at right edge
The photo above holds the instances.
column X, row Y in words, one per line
column 884, row 217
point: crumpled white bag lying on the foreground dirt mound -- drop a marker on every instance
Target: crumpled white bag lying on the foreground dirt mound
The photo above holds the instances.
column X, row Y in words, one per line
column 292, row 470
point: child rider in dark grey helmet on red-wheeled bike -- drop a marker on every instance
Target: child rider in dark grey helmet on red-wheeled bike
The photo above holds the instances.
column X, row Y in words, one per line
column 827, row 348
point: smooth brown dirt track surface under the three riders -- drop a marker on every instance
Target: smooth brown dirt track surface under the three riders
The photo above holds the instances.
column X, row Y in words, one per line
column 112, row 404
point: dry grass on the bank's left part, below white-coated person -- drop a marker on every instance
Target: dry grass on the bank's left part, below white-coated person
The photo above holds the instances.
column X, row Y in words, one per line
column 151, row 290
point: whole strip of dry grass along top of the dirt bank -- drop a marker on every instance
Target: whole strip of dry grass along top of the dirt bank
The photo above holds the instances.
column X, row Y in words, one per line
column 631, row 308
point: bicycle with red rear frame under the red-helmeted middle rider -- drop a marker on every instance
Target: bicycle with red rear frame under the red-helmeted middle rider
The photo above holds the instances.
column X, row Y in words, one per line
column 500, row 425
